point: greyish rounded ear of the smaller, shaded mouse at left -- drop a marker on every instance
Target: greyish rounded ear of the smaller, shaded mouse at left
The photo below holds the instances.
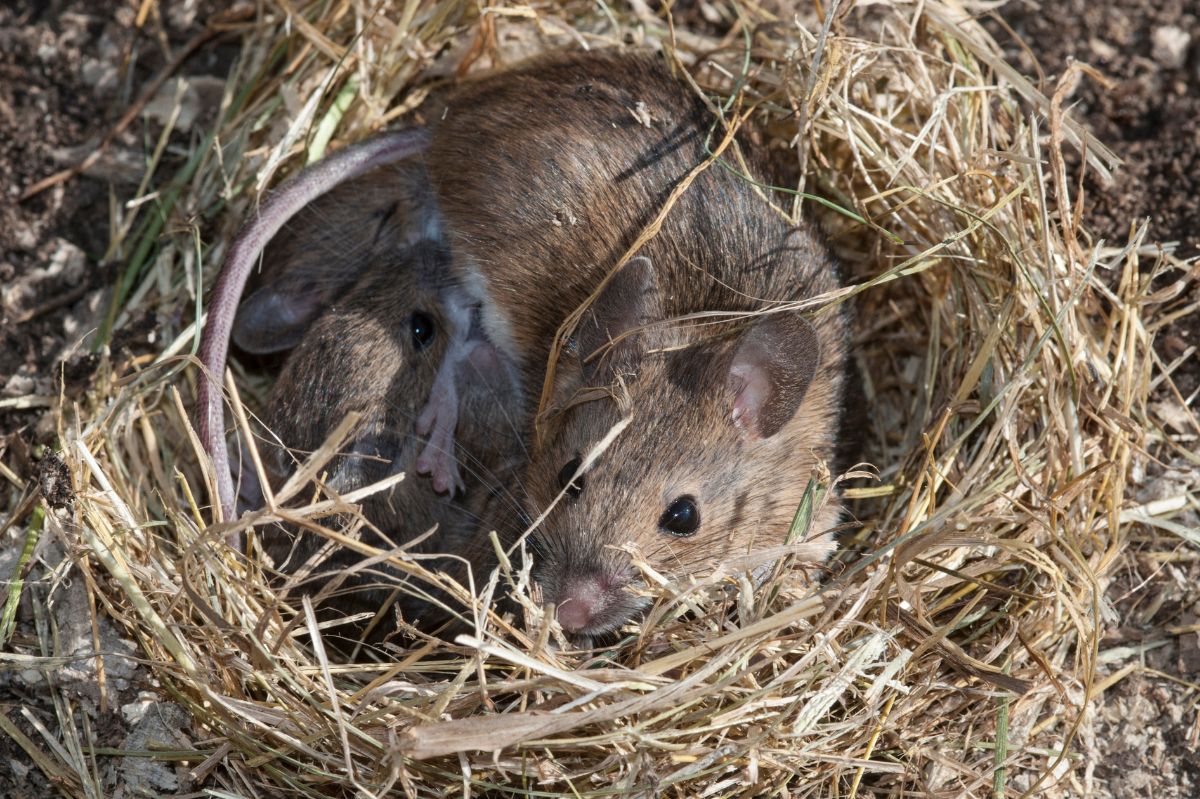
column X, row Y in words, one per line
column 275, row 317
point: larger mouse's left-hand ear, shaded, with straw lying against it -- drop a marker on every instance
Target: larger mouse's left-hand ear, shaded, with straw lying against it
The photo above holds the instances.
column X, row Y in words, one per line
column 628, row 303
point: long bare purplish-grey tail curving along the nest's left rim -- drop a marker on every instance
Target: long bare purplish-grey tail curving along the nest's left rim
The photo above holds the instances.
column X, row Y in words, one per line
column 284, row 203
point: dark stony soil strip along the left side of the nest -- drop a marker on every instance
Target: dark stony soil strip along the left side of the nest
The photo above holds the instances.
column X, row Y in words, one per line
column 69, row 69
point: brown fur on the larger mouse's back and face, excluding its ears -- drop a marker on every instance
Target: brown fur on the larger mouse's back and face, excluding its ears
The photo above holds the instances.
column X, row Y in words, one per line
column 544, row 177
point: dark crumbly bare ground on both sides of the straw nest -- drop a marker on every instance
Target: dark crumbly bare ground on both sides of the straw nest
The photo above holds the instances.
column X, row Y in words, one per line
column 70, row 68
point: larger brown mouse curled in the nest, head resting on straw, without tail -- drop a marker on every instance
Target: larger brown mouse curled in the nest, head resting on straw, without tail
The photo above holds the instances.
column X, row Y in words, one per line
column 728, row 394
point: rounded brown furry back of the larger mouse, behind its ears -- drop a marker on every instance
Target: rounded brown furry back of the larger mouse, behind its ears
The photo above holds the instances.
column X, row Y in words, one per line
column 593, row 145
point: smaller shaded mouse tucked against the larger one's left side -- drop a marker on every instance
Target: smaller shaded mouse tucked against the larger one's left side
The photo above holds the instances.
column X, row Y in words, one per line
column 375, row 352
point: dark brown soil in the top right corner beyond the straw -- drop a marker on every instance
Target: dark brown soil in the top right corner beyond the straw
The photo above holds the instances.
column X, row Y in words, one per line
column 1150, row 53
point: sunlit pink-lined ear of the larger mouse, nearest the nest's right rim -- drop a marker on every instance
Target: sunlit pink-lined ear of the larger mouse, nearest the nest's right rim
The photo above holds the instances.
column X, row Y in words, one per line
column 771, row 373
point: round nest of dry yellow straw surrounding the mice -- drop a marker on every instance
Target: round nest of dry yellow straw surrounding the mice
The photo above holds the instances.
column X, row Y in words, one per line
column 1006, row 365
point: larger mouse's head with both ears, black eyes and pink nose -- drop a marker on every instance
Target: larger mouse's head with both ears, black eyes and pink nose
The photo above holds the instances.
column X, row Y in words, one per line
column 718, row 438
